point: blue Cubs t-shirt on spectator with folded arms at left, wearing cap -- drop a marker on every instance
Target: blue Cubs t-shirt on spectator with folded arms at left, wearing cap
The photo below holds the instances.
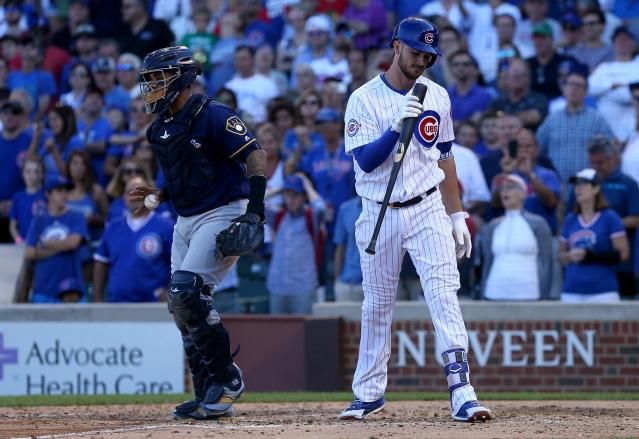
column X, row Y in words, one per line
column 51, row 271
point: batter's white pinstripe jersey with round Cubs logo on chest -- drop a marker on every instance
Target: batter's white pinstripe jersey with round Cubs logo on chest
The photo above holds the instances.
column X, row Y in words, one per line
column 369, row 113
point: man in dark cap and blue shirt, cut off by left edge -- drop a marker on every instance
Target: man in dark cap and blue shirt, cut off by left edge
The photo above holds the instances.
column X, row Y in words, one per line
column 15, row 139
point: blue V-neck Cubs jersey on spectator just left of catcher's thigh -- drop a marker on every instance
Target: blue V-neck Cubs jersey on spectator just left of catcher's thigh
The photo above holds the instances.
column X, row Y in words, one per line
column 140, row 258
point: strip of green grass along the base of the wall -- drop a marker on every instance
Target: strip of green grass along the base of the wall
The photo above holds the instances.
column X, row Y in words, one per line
column 274, row 397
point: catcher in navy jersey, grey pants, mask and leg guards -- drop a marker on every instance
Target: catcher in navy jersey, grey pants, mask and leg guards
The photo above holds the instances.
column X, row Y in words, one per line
column 206, row 153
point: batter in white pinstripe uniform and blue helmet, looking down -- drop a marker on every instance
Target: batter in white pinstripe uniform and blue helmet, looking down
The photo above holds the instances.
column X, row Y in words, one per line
column 423, row 217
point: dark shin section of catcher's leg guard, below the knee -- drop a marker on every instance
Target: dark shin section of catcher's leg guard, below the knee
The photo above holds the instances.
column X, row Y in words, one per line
column 214, row 344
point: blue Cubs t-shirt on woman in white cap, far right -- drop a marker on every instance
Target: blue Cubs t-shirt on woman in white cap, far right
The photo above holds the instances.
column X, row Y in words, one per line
column 596, row 235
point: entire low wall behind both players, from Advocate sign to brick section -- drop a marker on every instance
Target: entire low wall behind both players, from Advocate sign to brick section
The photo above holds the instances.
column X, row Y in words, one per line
column 104, row 348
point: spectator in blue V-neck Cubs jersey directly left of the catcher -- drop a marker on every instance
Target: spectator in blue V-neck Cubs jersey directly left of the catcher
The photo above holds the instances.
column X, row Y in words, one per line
column 135, row 246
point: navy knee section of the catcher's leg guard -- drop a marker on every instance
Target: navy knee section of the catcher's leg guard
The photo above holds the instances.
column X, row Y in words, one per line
column 184, row 299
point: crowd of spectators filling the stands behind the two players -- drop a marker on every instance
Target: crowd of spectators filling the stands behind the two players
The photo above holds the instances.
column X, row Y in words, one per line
column 545, row 100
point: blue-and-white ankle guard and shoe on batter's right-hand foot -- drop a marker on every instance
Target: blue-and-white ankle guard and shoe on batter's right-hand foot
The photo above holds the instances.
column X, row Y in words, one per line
column 463, row 400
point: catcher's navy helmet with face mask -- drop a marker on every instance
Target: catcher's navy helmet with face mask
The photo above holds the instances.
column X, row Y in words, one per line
column 164, row 74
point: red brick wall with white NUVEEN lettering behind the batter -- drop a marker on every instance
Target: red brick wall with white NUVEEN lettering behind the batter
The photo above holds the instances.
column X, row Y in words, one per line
column 551, row 356
